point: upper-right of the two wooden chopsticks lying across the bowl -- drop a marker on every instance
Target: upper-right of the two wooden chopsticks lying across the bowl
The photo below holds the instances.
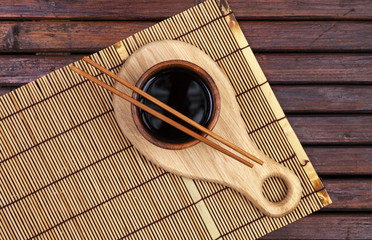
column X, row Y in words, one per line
column 173, row 111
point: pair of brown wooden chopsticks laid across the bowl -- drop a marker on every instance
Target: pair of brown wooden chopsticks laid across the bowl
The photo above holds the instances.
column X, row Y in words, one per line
column 169, row 109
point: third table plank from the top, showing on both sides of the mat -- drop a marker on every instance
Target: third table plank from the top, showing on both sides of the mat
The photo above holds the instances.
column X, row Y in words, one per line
column 295, row 68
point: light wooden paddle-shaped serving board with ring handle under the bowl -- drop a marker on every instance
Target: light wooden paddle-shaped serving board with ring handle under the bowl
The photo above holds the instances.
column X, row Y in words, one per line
column 201, row 161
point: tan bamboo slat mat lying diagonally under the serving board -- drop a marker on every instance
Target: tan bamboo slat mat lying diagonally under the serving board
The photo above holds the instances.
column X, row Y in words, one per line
column 67, row 170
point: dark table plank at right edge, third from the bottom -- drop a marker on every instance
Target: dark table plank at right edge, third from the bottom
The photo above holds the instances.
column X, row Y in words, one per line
column 332, row 160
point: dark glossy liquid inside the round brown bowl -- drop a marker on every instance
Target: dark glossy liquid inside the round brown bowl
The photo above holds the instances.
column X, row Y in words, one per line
column 183, row 90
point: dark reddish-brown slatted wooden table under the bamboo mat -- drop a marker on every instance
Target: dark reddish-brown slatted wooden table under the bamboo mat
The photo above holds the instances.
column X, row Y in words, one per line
column 316, row 54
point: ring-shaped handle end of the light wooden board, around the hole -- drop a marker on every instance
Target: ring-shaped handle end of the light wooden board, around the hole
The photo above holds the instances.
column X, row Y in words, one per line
column 292, row 198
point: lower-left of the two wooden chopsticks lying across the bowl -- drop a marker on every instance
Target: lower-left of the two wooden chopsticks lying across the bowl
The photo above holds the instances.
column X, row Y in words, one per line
column 160, row 116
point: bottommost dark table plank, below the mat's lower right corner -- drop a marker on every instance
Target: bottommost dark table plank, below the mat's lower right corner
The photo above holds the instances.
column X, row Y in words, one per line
column 327, row 226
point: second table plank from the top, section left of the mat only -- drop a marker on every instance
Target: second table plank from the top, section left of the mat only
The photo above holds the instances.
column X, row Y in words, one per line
column 65, row 36
